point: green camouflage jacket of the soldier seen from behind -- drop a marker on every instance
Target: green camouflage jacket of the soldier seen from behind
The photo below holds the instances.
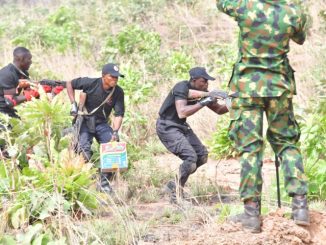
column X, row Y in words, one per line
column 266, row 27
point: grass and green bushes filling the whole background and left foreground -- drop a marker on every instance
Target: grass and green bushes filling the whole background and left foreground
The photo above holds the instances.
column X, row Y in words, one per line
column 50, row 196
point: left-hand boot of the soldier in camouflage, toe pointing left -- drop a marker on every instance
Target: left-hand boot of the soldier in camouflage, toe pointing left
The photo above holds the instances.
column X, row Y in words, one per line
column 249, row 219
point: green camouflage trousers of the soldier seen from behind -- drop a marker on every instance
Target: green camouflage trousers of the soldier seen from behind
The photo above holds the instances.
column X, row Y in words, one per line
column 283, row 133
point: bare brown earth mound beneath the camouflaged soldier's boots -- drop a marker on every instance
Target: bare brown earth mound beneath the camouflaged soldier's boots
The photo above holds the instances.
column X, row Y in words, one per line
column 276, row 229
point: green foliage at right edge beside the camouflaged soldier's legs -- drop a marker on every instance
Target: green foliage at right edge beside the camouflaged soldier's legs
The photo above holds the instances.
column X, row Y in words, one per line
column 314, row 136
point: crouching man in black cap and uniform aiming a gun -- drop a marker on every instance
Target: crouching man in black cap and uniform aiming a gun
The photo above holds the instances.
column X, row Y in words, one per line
column 176, row 134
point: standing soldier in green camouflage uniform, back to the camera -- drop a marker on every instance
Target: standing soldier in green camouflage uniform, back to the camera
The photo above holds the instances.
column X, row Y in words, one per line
column 263, row 81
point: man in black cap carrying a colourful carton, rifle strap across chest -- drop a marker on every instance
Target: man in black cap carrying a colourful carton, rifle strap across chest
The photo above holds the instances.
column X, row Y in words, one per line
column 96, row 125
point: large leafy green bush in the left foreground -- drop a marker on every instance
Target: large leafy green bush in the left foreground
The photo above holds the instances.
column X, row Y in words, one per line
column 54, row 183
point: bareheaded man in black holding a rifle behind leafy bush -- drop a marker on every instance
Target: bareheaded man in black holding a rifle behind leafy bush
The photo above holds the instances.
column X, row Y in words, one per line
column 12, row 77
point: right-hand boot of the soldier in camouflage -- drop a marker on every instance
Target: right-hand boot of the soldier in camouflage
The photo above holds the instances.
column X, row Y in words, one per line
column 300, row 212
